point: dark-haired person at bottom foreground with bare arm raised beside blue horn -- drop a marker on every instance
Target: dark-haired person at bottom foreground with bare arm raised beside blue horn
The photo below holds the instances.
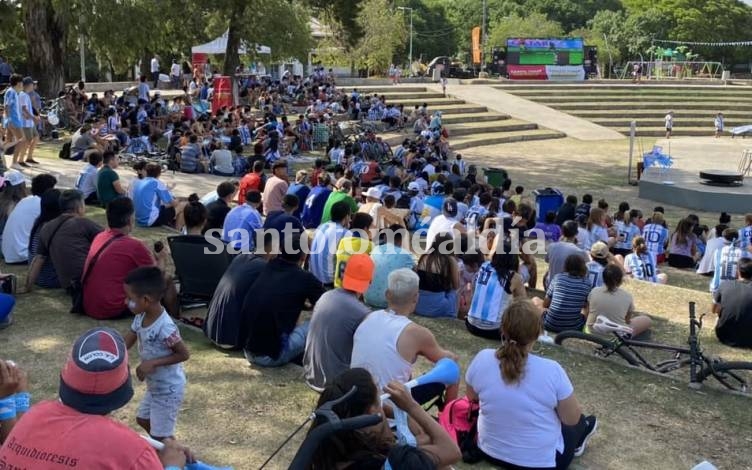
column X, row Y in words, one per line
column 369, row 448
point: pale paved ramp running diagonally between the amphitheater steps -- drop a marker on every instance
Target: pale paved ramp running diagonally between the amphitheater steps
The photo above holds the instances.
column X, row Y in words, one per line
column 520, row 108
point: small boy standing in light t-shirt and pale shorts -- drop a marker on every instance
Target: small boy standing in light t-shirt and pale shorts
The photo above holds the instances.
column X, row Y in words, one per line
column 161, row 349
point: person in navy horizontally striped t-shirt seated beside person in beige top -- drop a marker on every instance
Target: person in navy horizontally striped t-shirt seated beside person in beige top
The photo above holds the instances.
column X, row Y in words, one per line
column 566, row 298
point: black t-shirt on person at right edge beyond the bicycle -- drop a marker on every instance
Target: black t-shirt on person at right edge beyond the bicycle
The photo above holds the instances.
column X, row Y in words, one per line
column 734, row 327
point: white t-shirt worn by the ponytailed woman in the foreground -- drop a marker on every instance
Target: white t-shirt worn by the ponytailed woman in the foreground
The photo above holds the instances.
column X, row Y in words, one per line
column 518, row 423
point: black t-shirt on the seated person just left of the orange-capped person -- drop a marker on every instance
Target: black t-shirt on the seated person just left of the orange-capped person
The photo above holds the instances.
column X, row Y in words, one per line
column 274, row 302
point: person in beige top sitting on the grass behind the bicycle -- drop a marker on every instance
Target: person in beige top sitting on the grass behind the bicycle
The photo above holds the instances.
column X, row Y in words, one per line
column 613, row 303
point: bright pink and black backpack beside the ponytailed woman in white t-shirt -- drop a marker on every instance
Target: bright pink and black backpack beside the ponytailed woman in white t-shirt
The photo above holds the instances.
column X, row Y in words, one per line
column 459, row 418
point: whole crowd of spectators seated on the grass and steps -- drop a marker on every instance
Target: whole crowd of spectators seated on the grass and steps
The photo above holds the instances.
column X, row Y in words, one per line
column 338, row 240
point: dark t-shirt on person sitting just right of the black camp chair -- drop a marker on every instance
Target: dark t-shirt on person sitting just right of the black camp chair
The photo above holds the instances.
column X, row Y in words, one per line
column 224, row 322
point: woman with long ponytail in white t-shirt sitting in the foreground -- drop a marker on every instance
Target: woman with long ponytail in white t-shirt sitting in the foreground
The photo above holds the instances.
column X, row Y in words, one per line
column 529, row 416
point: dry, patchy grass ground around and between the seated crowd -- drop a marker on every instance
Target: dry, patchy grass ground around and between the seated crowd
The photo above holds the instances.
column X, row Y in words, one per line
column 237, row 415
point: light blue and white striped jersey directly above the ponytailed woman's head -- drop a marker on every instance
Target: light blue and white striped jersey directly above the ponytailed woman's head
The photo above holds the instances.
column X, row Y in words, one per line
column 490, row 298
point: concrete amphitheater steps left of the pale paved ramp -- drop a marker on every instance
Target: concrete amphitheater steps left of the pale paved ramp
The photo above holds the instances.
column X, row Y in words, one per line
column 469, row 125
